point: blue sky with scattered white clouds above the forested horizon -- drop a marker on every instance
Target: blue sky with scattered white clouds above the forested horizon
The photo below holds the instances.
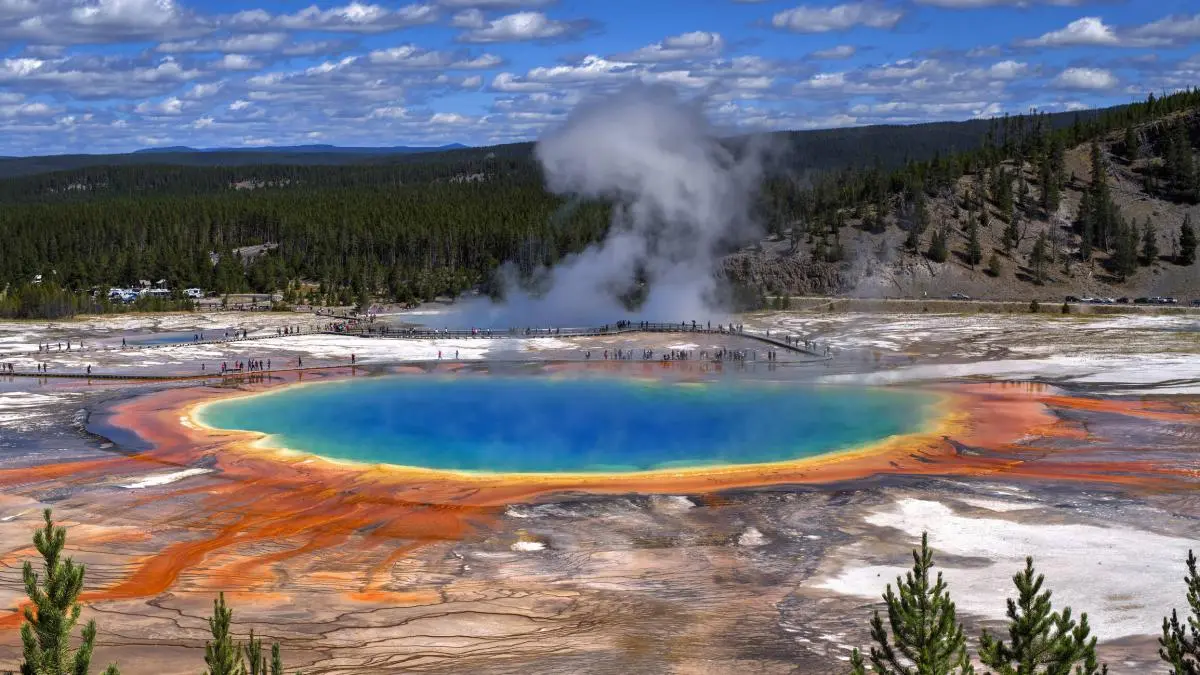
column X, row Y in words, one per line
column 97, row 76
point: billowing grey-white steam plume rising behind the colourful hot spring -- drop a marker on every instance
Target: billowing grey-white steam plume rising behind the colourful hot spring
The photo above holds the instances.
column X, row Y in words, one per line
column 679, row 193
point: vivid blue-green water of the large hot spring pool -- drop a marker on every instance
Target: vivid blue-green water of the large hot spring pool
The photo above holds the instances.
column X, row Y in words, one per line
column 542, row 425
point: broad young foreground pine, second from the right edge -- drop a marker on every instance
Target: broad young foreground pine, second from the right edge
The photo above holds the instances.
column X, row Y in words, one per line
column 1042, row 642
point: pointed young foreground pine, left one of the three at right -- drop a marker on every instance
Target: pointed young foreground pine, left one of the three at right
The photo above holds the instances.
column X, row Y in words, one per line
column 926, row 636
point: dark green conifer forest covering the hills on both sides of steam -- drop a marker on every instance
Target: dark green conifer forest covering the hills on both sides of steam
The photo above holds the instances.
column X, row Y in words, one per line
column 431, row 225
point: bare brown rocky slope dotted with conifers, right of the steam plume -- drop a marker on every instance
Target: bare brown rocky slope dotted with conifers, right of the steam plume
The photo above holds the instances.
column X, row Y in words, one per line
column 880, row 265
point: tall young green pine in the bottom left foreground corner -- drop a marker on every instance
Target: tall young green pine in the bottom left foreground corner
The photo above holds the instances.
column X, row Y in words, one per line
column 46, row 632
